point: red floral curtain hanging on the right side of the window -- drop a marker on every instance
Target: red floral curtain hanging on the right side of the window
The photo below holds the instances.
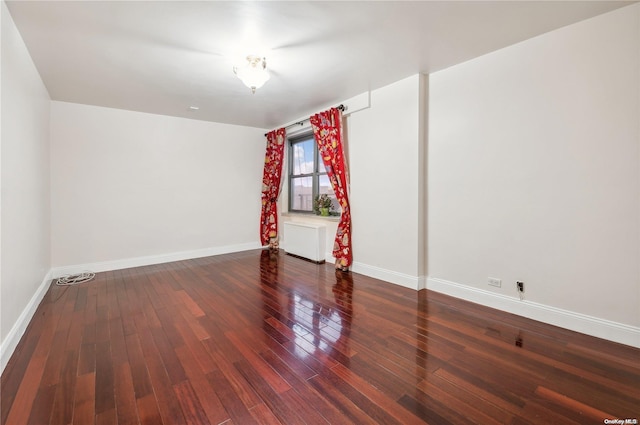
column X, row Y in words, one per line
column 327, row 130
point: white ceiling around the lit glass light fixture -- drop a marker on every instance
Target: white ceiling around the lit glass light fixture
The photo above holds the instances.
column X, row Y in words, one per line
column 162, row 57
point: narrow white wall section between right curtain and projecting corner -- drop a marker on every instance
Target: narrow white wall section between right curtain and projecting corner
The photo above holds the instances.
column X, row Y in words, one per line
column 384, row 150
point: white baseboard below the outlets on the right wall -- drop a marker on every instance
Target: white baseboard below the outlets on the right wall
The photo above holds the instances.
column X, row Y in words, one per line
column 600, row 328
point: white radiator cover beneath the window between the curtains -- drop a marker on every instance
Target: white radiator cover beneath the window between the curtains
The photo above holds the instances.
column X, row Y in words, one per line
column 305, row 240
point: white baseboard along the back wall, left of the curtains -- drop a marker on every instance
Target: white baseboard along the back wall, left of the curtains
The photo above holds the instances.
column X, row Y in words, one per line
column 127, row 263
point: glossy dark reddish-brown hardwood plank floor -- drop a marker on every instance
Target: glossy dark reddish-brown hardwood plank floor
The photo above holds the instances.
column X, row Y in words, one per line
column 258, row 338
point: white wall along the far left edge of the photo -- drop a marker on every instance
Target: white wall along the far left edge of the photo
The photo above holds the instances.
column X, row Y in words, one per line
column 24, row 199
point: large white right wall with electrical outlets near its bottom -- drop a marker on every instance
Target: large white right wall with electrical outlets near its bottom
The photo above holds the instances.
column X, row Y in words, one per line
column 534, row 171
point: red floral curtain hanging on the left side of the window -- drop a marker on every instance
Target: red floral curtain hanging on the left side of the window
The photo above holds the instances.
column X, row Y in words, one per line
column 271, row 178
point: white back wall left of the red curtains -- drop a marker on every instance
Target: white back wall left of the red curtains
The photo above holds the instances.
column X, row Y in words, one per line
column 128, row 185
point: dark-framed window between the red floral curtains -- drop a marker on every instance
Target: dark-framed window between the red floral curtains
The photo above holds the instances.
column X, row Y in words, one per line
column 307, row 176
